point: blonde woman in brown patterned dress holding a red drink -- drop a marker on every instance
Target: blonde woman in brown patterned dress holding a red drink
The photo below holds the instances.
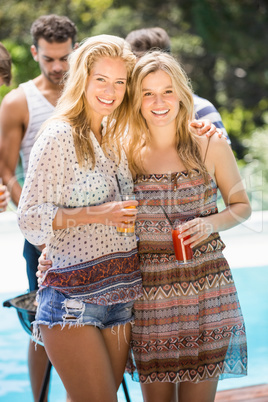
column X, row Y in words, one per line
column 189, row 330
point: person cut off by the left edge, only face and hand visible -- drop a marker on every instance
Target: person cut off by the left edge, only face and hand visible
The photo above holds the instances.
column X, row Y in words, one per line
column 5, row 78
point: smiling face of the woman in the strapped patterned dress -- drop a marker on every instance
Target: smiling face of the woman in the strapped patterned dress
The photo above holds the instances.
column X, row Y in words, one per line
column 160, row 103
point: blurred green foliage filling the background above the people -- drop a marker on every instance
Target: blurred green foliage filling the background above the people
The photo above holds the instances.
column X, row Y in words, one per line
column 222, row 45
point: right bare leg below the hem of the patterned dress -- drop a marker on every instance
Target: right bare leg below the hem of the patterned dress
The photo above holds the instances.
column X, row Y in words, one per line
column 203, row 392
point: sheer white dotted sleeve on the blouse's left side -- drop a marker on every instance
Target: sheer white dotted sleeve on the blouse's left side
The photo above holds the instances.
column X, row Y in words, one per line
column 42, row 191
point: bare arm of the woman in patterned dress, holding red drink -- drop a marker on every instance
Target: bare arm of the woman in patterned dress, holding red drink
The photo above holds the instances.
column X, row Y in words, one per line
column 221, row 165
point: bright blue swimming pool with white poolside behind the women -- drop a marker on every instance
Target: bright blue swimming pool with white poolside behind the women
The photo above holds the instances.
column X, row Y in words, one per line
column 246, row 252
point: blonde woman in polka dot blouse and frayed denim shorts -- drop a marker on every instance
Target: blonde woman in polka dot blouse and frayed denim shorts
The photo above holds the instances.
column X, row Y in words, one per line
column 70, row 201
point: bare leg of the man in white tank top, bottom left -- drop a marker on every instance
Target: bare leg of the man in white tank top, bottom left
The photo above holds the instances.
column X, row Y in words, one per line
column 37, row 364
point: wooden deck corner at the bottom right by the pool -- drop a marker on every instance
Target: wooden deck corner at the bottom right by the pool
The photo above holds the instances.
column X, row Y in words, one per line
column 256, row 393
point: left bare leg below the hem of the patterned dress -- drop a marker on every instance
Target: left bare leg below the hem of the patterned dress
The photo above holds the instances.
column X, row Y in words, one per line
column 159, row 392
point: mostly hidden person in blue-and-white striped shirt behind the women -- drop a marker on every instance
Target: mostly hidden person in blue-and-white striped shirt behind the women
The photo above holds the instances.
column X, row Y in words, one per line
column 143, row 40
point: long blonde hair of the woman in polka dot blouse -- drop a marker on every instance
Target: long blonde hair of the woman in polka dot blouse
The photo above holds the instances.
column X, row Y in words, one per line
column 72, row 105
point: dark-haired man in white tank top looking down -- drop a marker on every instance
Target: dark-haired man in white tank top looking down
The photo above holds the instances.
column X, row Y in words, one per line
column 22, row 112
